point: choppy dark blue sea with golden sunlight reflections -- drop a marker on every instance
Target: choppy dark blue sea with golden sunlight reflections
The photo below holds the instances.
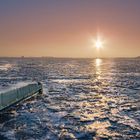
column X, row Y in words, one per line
column 83, row 99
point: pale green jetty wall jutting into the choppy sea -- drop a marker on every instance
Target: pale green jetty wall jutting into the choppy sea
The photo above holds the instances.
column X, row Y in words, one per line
column 16, row 95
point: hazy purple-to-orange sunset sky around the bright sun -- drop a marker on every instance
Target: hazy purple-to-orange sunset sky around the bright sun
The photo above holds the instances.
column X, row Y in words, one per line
column 69, row 28
